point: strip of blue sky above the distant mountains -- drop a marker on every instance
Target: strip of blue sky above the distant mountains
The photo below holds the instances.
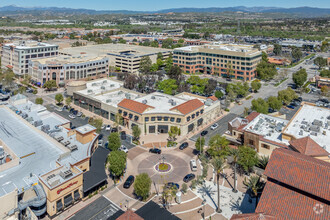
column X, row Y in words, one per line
column 152, row 5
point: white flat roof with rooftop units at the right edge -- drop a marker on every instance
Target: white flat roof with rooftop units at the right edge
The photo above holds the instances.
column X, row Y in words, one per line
column 311, row 121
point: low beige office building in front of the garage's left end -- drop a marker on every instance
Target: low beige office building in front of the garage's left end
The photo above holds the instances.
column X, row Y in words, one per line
column 67, row 68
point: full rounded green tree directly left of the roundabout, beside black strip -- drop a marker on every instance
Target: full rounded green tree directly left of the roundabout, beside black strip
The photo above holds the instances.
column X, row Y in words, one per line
column 117, row 162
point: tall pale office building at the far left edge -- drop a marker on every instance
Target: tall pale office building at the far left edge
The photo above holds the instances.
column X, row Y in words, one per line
column 17, row 55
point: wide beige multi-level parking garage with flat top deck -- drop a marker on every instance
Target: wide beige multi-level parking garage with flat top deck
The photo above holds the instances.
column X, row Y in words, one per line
column 123, row 56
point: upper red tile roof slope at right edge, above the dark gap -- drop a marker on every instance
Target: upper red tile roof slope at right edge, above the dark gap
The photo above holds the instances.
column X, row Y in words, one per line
column 300, row 171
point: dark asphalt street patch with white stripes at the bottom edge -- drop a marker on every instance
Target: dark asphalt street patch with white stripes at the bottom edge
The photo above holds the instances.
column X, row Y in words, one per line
column 100, row 209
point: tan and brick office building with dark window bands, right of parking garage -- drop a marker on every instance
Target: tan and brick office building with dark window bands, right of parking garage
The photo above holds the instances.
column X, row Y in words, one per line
column 216, row 59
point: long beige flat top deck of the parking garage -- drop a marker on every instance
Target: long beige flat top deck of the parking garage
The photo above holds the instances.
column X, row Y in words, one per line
column 124, row 50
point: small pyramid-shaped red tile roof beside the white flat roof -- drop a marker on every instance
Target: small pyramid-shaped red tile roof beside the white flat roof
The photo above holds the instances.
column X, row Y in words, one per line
column 308, row 146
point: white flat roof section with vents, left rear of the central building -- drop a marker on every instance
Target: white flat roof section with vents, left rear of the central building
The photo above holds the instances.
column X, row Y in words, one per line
column 96, row 87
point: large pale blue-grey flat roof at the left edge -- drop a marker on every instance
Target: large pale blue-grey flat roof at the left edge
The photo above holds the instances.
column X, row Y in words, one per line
column 37, row 153
